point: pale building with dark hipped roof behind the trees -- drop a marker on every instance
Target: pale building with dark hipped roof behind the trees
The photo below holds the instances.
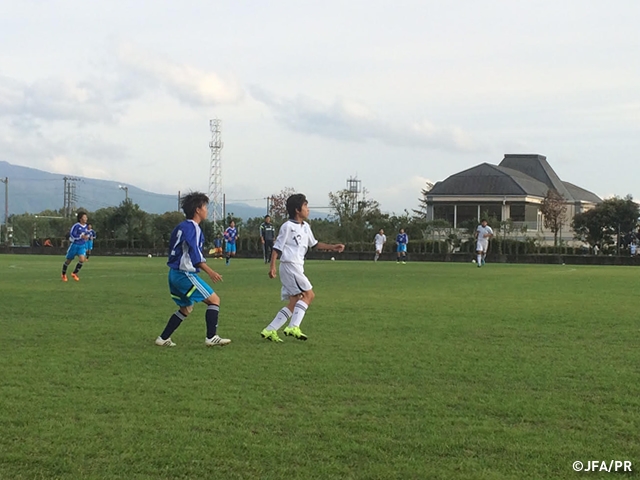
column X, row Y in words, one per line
column 512, row 190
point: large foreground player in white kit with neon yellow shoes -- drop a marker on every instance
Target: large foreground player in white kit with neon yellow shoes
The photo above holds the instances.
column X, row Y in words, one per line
column 294, row 239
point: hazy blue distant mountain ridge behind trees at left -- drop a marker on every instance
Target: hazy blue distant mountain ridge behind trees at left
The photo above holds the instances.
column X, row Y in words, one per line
column 32, row 191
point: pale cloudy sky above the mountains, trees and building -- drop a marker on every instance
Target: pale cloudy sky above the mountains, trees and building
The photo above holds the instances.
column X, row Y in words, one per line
column 310, row 94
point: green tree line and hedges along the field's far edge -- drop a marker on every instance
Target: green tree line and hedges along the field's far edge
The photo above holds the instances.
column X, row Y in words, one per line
column 353, row 220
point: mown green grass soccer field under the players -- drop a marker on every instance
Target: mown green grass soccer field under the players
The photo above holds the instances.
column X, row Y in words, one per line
column 417, row 371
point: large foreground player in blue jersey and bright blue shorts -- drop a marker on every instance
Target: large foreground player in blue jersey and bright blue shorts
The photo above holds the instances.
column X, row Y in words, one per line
column 185, row 261
